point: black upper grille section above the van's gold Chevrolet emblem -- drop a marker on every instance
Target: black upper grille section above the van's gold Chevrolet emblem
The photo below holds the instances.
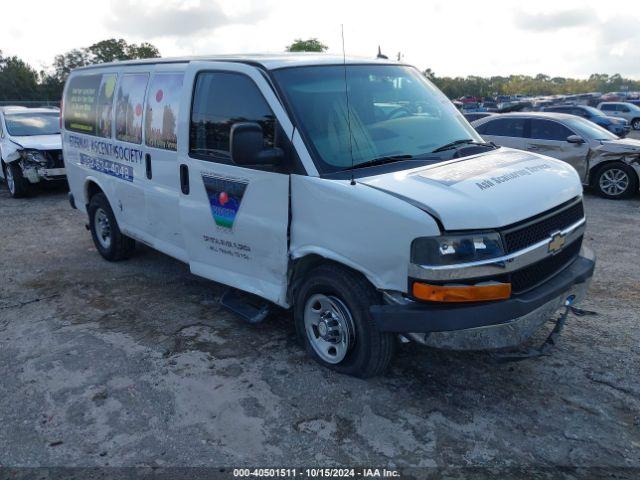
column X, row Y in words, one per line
column 532, row 232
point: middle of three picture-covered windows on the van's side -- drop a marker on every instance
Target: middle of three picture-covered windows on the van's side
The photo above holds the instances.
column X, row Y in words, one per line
column 129, row 102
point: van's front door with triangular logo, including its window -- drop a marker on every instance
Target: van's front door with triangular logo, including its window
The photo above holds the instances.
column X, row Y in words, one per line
column 234, row 219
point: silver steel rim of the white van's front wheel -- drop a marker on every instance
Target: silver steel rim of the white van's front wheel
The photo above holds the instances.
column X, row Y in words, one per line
column 329, row 327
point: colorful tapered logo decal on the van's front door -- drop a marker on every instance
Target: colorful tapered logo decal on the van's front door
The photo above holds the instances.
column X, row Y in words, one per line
column 225, row 197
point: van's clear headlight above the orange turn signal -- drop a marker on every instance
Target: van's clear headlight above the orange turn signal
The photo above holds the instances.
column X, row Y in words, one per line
column 454, row 249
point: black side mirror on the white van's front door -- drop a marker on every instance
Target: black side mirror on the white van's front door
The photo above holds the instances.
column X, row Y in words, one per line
column 247, row 146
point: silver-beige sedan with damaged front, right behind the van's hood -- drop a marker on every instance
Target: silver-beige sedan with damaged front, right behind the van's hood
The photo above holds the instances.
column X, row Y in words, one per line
column 609, row 164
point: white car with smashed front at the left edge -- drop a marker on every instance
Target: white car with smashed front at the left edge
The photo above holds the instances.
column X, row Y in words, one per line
column 30, row 148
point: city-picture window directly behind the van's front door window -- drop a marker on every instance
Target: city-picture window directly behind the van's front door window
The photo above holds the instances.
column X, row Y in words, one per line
column 161, row 116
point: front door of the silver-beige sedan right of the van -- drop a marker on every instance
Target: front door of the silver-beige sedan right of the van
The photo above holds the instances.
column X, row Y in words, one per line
column 548, row 137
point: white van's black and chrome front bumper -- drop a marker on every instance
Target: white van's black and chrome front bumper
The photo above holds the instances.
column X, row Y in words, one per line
column 488, row 325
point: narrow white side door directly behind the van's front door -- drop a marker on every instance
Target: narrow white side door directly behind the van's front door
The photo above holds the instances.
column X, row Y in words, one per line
column 161, row 121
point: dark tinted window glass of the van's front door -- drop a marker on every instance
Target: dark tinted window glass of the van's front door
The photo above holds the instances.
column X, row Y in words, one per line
column 221, row 99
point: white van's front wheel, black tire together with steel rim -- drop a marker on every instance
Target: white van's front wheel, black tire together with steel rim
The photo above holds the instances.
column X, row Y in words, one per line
column 347, row 296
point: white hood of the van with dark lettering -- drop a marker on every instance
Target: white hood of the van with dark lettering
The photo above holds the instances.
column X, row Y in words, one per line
column 490, row 190
